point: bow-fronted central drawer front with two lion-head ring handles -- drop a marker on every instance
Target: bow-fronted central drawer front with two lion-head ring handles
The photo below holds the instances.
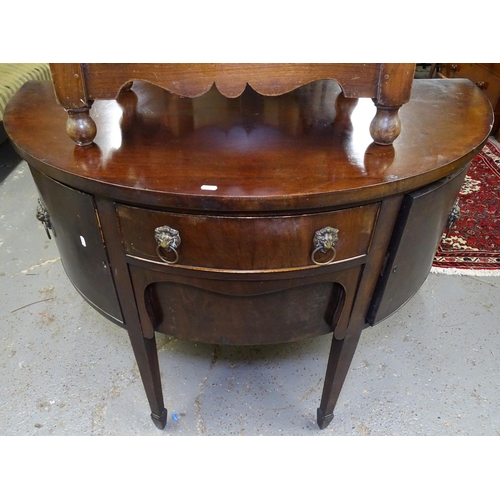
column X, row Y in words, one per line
column 247, row 243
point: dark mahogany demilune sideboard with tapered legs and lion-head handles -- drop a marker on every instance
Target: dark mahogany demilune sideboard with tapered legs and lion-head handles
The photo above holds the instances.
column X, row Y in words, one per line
column 248, row 220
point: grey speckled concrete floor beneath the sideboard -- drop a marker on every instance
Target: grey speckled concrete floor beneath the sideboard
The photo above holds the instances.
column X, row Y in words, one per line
column 431, row 369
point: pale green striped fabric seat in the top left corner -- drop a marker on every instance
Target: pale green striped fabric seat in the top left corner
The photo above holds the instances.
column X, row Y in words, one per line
column 12, row 78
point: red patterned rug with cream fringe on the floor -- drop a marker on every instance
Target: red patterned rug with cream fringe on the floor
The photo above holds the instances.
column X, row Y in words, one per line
column 473, row 245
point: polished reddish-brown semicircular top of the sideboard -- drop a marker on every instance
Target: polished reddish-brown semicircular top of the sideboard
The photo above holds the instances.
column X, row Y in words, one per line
column 302, row 150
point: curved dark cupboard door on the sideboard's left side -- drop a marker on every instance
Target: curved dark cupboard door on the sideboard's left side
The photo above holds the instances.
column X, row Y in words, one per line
column 75, row 229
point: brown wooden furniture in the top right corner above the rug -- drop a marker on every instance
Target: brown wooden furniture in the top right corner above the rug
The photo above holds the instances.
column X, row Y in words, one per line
column 485, row 75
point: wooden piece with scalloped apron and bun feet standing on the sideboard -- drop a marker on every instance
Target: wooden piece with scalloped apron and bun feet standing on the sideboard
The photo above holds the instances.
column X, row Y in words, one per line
column 78, row 85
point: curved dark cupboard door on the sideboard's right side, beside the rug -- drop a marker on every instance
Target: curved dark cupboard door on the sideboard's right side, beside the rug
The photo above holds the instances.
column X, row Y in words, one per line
column 419, row 228
